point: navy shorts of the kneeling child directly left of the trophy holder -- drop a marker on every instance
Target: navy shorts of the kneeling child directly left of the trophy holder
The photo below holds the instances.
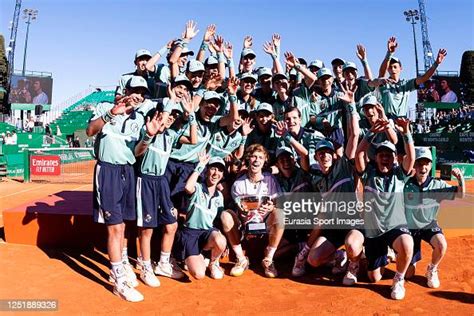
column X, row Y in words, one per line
column 191, row 242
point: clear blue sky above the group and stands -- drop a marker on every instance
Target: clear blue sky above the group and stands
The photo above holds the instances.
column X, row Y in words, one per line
column 87, row 43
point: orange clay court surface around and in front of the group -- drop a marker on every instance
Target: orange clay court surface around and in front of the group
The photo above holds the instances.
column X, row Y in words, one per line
column 78, row 280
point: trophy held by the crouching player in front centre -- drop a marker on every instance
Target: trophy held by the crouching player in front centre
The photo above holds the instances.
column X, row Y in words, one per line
column 254, row 222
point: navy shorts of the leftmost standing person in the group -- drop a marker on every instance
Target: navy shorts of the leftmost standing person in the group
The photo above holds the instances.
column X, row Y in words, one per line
column 114, row 193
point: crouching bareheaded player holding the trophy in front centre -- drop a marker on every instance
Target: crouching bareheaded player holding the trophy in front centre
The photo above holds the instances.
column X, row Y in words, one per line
column 254, row 195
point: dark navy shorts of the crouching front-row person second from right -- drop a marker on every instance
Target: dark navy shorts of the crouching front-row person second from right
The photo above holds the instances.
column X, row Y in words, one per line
column 376, row 248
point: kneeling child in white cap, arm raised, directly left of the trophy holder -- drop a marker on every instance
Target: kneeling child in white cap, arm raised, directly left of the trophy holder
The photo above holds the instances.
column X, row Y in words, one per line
column 198, row 233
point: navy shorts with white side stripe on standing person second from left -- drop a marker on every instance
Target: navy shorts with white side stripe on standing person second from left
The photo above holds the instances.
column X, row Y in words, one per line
column 153, row 202
